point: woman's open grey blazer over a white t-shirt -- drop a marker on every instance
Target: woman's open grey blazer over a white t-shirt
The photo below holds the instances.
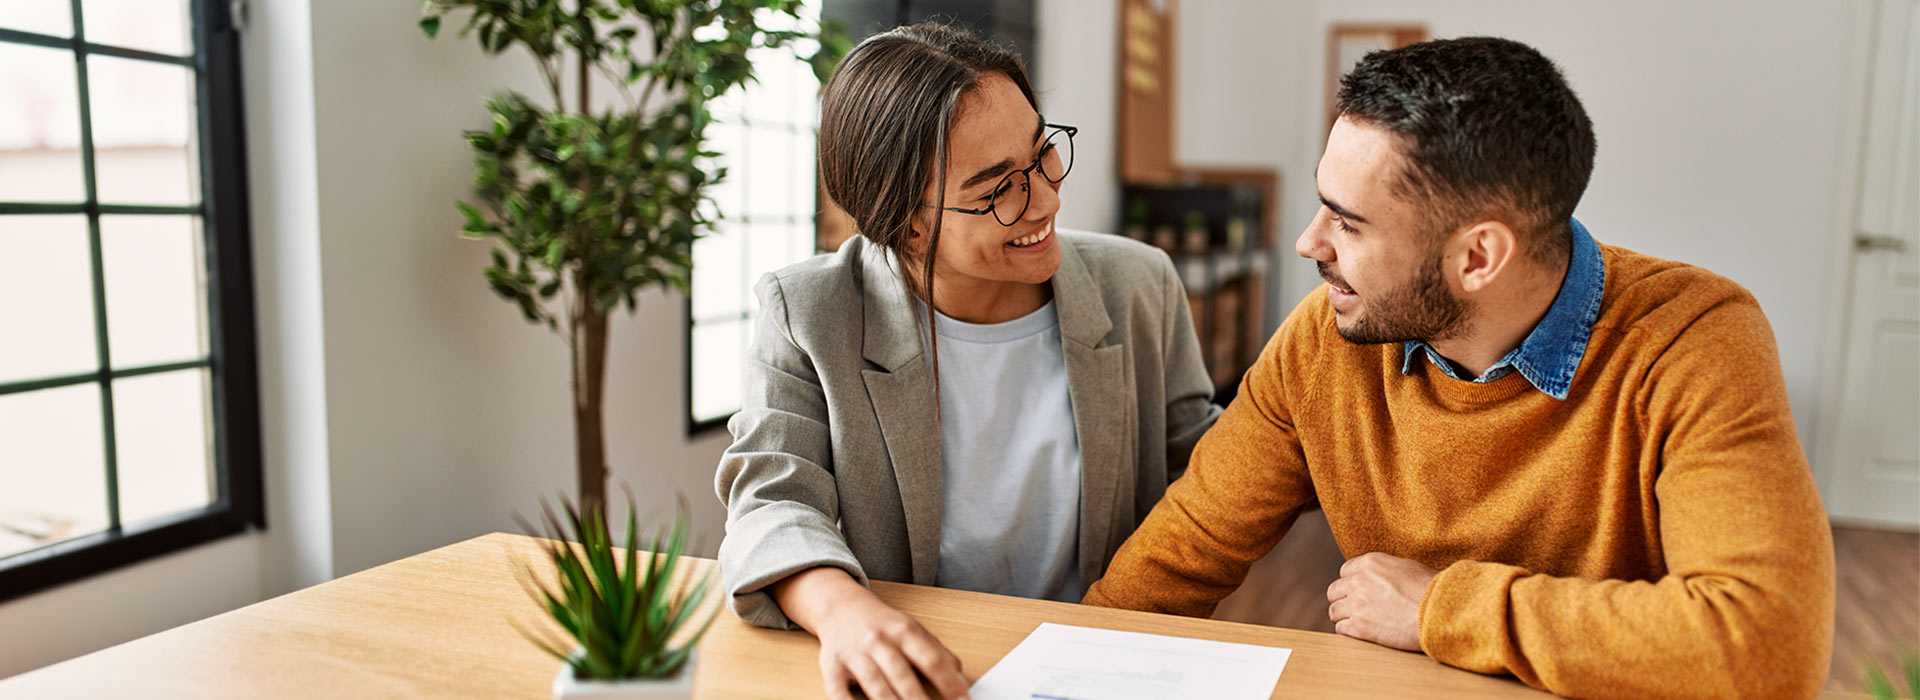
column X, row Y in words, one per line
column 836, row 455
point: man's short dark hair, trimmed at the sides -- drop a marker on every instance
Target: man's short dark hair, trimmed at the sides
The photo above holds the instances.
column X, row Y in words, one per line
column 1489, row 128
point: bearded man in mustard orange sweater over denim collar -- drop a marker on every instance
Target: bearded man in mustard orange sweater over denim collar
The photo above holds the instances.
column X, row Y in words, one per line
column 1545, row 457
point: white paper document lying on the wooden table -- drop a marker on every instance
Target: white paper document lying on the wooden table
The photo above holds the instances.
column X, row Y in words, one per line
column 1063, row 663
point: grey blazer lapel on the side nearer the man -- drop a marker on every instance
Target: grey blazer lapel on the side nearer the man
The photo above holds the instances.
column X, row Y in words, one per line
column 1103, row 417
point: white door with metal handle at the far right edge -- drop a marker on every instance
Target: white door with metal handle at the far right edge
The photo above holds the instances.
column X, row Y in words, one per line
column 1873, row 452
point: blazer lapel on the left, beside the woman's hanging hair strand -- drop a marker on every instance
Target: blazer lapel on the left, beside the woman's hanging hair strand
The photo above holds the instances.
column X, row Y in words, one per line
column 903, row 402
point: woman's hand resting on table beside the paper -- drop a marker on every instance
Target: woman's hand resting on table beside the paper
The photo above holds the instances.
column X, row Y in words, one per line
column 867, row 643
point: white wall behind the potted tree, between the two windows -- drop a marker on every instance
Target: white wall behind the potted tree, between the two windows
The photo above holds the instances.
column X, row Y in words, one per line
column 446, row 413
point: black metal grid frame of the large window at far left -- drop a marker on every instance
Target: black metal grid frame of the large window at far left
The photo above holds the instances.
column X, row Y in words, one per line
column 231, row 360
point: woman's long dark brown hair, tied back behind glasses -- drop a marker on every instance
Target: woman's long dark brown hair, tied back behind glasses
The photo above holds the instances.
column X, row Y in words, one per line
column 884, row 126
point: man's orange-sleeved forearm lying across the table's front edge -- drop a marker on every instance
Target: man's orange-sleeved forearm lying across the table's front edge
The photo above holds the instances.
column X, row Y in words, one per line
column 1677, row 638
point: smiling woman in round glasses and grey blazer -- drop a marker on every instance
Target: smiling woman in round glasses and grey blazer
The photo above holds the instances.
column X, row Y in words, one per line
column 963, row 396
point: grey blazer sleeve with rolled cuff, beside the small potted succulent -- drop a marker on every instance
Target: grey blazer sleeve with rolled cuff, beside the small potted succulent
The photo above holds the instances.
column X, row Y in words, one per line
column 777, row 480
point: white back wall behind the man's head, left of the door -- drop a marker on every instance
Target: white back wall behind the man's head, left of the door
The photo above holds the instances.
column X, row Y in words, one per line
column 1719, row 126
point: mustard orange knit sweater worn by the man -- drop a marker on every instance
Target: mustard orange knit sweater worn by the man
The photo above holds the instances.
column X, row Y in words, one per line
column 1654, row 536
